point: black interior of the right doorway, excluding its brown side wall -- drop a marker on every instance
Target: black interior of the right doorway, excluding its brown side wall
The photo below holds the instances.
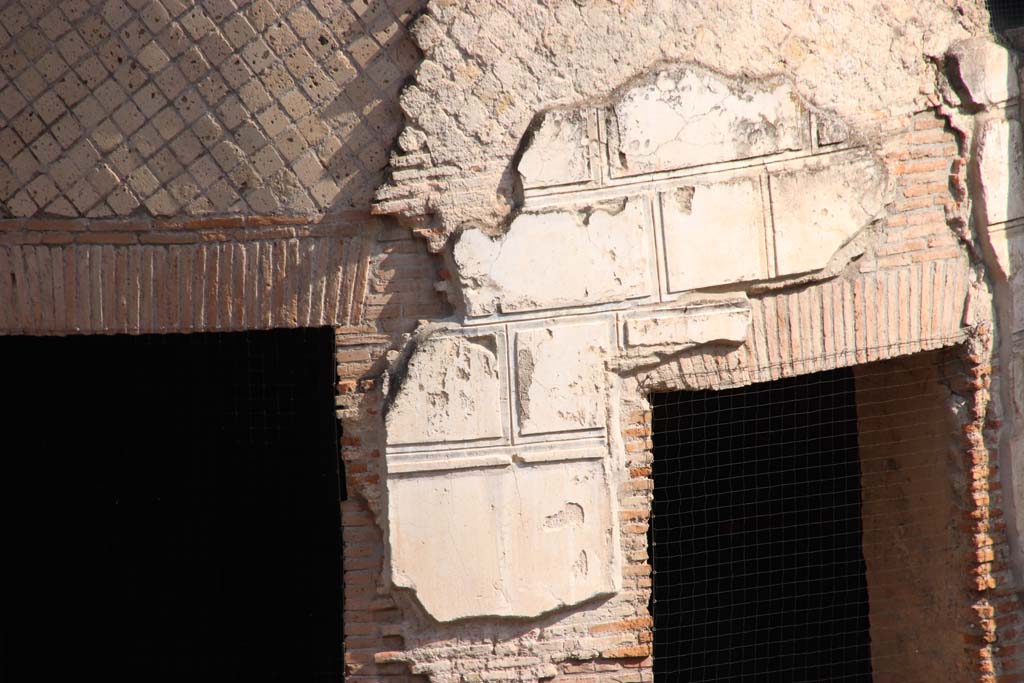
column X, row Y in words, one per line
column 757, row 535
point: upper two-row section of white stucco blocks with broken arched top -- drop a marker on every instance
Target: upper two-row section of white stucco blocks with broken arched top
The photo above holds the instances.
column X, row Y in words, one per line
column 709, row 214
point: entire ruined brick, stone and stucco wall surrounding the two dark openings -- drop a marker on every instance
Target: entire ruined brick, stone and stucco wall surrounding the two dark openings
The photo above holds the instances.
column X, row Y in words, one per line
column 607, row 199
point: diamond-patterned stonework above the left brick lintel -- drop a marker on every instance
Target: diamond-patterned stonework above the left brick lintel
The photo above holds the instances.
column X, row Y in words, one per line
column 111, row 108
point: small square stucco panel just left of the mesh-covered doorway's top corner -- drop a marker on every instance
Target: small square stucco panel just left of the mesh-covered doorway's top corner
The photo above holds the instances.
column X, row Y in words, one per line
column 561, row 378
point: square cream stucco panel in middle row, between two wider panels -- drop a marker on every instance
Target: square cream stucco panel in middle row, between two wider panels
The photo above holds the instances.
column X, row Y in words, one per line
column 714, row 234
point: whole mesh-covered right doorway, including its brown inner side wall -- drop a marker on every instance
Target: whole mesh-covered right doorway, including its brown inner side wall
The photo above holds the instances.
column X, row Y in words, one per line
column 803, row 530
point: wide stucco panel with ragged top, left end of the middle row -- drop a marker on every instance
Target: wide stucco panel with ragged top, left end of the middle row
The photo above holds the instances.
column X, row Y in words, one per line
column 558, row 260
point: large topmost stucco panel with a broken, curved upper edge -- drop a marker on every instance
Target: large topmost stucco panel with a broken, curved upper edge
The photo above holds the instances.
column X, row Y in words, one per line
column 689, row 117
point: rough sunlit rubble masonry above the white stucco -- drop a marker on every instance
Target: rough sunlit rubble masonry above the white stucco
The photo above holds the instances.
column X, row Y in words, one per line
column 490, row 67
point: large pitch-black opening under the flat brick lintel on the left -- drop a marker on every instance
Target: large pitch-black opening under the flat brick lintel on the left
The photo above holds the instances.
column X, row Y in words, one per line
column 172, row 508
